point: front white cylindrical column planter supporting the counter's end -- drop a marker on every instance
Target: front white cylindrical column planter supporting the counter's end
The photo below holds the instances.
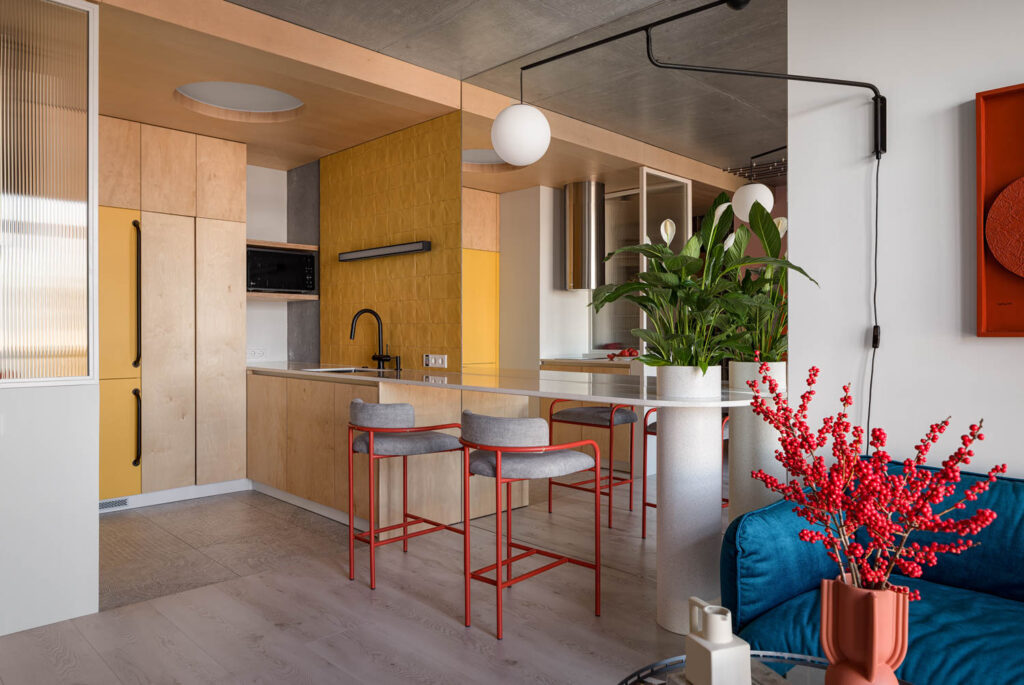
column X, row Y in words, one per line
column 690, row 493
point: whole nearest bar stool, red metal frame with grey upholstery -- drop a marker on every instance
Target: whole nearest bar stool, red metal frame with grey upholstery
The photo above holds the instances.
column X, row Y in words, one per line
column 510, row 451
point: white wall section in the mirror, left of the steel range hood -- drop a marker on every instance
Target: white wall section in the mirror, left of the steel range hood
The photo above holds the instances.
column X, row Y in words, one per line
column 539, row 319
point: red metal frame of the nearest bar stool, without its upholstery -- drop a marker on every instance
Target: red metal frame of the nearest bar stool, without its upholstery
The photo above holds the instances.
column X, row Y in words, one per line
column 506, row 564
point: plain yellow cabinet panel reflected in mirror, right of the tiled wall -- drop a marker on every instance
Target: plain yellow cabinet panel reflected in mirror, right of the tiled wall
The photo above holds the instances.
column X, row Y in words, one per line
column 480, row 307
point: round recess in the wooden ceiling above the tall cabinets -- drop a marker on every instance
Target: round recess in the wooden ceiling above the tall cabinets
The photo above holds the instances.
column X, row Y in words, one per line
column 238, row 102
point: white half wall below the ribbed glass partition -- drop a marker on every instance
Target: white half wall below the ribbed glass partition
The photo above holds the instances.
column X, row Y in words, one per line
column 50, row 482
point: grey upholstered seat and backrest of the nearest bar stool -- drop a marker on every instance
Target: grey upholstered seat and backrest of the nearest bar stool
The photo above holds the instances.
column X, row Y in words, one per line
column 503, row 433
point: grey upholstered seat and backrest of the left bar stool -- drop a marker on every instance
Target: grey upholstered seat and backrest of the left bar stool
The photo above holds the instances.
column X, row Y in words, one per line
column 396, row 445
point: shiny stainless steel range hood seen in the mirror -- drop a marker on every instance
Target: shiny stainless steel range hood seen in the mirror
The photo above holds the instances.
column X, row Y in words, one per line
column 584, row 236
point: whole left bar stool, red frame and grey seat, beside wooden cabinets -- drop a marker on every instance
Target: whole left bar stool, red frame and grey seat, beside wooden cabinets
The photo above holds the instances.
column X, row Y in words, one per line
column 388, row 432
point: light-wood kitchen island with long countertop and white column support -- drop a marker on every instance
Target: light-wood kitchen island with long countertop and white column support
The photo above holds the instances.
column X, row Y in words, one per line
column 298, row 419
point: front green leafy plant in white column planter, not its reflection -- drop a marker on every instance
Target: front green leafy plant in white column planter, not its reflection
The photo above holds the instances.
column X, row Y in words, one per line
column 698, row 311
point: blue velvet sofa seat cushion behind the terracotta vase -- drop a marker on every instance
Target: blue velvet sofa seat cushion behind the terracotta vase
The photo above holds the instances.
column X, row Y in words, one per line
column 957, row 635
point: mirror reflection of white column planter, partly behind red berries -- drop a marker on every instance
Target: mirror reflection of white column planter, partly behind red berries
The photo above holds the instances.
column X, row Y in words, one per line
column 752, row 443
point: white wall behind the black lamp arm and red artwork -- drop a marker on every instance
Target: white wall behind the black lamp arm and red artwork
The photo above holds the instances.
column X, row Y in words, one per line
column 930, row 60
